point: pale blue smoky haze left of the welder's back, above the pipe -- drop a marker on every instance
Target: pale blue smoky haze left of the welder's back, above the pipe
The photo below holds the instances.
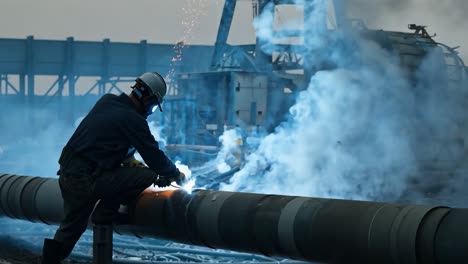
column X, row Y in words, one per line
column 32, row 138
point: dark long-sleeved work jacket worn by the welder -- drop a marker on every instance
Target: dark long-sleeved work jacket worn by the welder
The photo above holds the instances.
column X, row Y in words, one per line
column 113, row 127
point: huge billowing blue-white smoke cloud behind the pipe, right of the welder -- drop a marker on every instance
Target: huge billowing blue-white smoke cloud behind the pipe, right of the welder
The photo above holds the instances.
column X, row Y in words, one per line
column 358, row 131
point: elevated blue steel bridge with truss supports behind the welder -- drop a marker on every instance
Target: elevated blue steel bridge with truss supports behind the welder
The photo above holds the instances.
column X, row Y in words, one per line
column 68, row 60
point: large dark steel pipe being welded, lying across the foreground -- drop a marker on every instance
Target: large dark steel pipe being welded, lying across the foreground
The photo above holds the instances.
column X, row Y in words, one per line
column 311, row 229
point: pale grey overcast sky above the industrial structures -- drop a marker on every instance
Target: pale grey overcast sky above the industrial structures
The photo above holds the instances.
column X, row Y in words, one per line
column 196, row 21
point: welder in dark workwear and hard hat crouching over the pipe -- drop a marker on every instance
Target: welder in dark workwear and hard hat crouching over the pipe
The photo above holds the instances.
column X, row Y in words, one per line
column 97, row 164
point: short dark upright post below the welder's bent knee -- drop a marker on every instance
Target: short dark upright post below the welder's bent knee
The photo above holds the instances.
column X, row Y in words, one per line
column 102, row 244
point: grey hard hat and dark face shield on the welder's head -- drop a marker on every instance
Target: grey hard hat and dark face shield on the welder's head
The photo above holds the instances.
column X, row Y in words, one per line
column 150, row 91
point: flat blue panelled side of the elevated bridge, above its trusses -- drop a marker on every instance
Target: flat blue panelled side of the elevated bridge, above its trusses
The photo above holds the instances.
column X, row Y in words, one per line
column 49, row 57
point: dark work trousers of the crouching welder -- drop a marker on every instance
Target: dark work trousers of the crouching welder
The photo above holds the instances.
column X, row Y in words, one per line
column 82, row 188
